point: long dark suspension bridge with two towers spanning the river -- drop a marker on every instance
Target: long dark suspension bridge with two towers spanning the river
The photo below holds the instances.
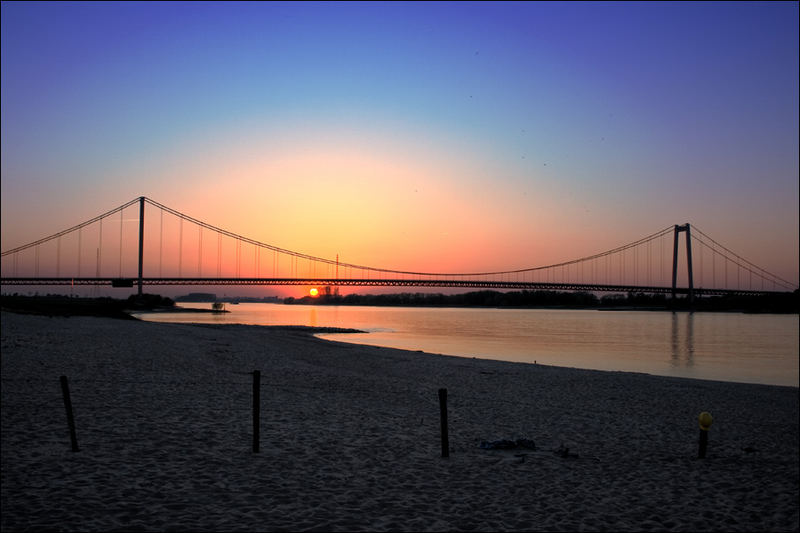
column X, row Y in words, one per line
column 168, row 247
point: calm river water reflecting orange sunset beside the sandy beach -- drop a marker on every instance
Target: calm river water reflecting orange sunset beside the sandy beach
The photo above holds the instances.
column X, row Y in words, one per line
column 720, row 346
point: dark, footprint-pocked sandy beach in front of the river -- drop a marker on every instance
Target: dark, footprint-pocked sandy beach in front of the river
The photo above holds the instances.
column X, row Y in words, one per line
column 350, row 438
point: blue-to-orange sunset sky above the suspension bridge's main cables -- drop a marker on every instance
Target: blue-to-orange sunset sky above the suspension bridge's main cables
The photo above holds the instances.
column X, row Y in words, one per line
column 422, row 136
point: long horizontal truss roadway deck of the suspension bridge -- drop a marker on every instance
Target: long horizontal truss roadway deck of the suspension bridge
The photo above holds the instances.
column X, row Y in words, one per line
column 366, row 282
